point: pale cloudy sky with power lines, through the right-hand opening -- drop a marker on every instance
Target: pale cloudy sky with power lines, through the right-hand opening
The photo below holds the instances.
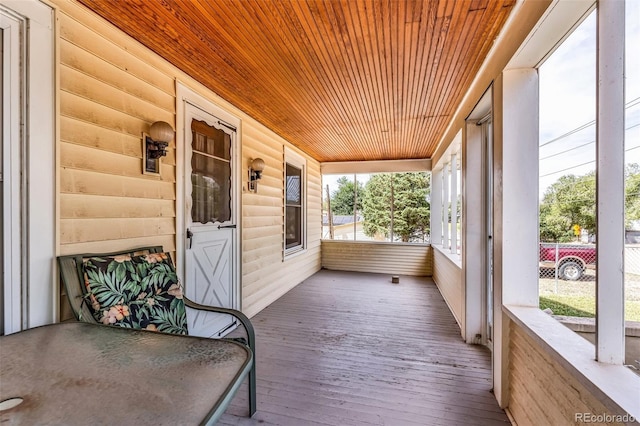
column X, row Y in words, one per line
column 568, row 101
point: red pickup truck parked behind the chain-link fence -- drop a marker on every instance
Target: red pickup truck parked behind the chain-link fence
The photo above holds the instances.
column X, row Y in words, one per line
column 571, row 259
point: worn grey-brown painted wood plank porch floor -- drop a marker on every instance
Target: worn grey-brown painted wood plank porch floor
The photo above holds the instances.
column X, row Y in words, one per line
column 346, row 348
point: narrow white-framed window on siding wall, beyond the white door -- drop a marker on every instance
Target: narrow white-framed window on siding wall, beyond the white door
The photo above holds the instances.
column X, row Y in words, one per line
column 295, row 203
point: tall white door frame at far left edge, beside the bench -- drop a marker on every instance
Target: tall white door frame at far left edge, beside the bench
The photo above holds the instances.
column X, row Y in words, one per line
column 27, row 166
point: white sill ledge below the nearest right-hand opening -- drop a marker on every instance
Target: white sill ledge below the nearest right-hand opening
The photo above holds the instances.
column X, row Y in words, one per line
column 614, row 385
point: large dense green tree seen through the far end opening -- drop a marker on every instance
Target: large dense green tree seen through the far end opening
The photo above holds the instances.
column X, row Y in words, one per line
column 411, row 210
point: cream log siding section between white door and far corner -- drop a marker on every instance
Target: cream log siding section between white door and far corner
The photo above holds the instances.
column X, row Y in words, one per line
column 266, row 275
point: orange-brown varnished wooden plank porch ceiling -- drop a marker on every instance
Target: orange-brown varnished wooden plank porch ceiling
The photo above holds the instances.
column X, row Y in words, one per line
column 342, row 80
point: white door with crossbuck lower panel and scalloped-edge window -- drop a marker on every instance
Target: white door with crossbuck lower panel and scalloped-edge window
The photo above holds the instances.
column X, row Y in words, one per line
column 210, row 219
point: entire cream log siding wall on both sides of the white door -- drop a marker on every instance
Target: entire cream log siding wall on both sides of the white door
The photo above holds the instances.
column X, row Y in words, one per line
column 111, row 89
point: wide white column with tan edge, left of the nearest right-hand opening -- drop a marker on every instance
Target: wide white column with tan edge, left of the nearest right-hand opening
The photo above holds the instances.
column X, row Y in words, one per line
column 515, row 209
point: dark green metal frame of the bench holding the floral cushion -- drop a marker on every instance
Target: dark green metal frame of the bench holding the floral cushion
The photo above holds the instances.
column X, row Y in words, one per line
column 72, row 275
